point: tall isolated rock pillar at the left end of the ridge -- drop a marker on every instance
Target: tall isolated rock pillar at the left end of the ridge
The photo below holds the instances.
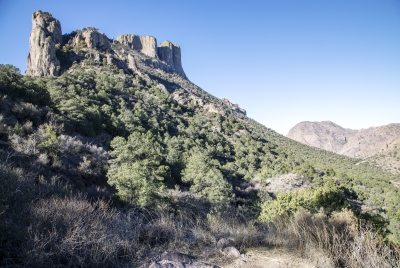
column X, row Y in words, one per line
column 46, row 34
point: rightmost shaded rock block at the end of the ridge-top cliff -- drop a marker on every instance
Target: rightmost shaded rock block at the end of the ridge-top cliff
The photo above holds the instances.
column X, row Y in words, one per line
column 171, row 54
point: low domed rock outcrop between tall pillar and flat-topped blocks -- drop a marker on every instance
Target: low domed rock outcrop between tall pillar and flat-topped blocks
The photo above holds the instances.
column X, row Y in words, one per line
column 91, row 38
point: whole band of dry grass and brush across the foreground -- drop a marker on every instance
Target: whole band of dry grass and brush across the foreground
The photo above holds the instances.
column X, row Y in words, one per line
column 44, row 224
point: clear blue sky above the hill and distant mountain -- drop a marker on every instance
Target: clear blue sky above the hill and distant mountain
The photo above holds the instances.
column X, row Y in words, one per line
column 284, row 61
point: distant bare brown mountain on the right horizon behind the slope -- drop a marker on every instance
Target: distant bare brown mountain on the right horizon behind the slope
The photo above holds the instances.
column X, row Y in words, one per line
column 361, row 143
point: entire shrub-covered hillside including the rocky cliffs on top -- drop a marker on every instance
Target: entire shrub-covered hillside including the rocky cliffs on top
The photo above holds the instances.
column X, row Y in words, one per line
column 110, row 156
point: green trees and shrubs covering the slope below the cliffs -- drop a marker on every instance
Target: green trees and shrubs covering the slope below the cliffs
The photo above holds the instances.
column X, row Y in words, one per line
column 96, row 123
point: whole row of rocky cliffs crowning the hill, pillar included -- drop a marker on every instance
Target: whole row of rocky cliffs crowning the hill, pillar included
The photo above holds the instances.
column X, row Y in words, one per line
column 52, row 53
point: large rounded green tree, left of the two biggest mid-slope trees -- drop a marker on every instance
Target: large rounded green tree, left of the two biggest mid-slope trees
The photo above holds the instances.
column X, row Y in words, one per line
column 136, row 169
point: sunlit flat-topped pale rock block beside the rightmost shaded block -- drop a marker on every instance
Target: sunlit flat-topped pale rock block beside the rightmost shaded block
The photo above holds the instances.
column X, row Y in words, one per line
column 145, row 44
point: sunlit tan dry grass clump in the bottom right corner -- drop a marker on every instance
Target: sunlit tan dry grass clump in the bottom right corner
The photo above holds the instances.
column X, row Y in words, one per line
column 336, row 241
